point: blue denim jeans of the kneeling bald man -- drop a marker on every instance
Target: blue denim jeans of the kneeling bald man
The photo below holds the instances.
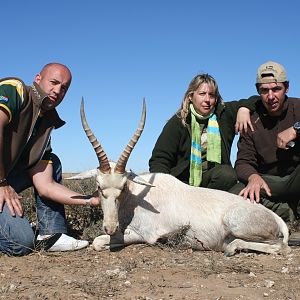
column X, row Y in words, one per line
column 16, row 234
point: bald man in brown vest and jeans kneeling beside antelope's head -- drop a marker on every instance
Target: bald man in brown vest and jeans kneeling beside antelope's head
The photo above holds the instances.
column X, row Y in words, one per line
column 27, row 117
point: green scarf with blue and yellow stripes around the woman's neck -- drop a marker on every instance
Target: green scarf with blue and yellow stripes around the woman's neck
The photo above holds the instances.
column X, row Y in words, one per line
column 213, row 145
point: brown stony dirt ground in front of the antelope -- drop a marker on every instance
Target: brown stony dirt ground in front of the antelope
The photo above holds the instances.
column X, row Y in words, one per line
column 150, row 272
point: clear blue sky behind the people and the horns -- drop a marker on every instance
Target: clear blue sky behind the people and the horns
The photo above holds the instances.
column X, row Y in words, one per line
column 122, row 51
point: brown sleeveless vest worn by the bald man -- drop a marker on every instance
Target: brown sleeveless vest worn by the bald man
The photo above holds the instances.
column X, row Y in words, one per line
column 18, row 132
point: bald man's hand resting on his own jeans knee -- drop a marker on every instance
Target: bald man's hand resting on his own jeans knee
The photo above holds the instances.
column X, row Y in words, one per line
column 9, row 196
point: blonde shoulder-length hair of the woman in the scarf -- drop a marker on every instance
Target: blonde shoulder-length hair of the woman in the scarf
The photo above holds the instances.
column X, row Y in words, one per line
column 199, row 79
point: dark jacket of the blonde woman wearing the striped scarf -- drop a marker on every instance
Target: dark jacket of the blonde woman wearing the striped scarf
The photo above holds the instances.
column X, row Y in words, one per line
column 171, row 153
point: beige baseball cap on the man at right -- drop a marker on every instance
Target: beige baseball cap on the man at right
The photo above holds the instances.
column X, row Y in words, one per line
column 272, row 69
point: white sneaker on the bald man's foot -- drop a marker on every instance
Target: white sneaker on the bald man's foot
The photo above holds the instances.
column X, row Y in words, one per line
column 61, row 242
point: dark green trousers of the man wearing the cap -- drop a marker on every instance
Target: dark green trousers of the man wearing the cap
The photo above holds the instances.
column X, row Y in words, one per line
column 285, row 194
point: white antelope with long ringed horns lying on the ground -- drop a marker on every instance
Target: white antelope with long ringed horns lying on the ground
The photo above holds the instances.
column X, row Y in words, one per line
column 142, row 209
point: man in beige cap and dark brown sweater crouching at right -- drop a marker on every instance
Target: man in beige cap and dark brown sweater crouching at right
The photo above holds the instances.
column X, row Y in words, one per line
column 268, row 159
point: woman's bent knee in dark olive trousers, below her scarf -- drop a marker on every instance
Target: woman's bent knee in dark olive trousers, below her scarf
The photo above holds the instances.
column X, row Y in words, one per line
column 220, row 177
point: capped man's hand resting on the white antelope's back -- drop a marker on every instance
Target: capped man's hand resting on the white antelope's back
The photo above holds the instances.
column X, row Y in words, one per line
column 252, row 190
